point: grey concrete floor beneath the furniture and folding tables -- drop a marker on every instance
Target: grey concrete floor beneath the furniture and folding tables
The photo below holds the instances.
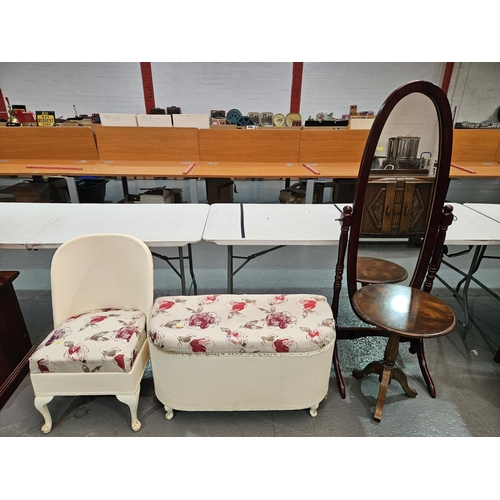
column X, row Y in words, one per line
column 465, row 375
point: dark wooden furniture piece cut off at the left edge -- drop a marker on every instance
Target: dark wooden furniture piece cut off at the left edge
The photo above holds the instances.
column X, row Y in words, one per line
column 15, row 343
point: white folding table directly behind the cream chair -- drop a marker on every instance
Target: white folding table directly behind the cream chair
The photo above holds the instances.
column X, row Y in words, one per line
column 48, row 225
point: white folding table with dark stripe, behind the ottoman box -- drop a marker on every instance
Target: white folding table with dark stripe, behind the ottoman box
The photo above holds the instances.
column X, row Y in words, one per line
column 273, row 225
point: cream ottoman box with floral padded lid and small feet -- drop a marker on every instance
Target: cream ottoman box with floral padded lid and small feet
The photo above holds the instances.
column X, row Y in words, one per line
column 241, row 352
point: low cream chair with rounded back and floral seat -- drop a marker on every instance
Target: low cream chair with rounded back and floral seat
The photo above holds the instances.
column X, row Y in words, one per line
column 102, row 294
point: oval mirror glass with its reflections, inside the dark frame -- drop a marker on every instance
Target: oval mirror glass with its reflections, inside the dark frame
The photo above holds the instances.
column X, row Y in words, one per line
column 400, row 191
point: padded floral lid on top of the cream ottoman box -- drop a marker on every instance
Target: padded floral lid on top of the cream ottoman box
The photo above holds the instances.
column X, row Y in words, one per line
column 241, row 323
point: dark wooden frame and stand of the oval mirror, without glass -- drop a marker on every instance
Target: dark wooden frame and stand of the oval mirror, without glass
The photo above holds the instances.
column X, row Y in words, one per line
column 435, row 232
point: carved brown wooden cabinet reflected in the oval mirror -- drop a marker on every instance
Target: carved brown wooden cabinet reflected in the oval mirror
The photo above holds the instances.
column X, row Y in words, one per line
column 396, row 206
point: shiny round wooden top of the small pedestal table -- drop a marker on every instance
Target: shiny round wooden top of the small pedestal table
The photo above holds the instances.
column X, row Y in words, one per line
column 404, row 310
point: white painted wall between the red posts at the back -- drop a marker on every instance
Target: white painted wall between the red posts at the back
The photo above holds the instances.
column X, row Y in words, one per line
column 199, row 87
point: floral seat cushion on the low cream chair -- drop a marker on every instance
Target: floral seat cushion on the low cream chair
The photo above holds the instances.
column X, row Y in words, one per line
column 102, row 340
